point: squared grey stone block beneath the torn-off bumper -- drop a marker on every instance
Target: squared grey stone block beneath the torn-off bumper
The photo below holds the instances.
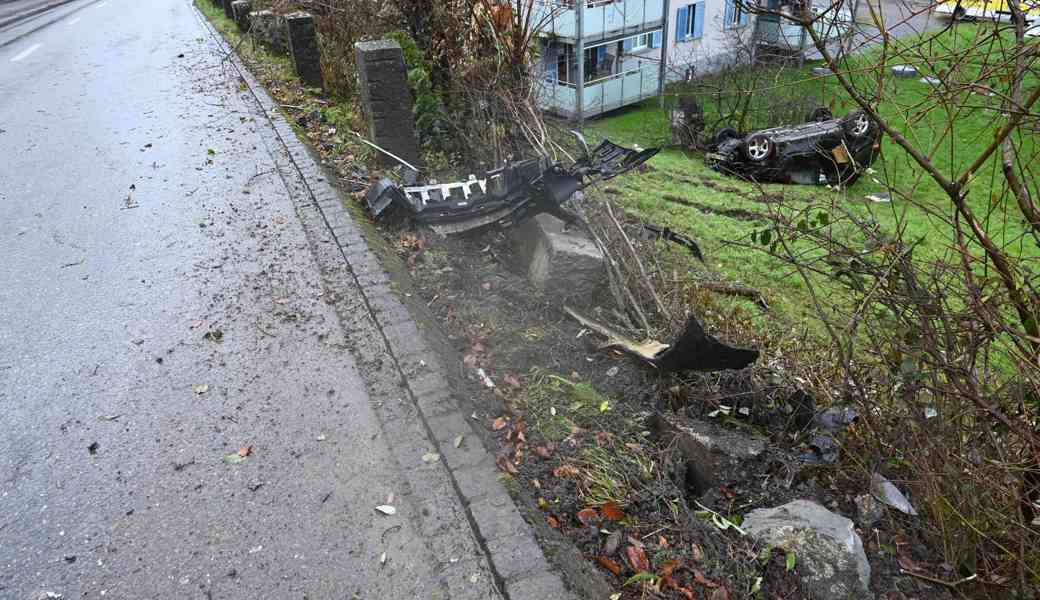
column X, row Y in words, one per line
column 560, row 264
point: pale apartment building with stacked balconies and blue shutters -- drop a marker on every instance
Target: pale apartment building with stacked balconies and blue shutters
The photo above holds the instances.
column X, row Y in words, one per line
column 630, row 49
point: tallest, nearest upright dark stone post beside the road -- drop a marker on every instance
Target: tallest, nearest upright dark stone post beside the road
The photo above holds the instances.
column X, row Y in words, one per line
column 386, row 98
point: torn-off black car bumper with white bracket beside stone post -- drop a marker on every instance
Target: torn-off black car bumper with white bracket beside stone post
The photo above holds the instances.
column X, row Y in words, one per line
column 508, row 196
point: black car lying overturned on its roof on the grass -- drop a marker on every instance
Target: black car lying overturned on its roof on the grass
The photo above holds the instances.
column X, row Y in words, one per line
column 825, row 150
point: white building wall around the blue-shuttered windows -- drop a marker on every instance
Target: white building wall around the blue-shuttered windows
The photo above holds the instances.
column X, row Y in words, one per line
column 714, row 50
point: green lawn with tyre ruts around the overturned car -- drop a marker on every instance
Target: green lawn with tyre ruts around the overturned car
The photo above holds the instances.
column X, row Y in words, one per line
column 718, row 211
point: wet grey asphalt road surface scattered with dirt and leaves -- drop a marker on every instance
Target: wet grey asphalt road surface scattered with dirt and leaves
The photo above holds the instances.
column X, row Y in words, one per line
column 140, row 212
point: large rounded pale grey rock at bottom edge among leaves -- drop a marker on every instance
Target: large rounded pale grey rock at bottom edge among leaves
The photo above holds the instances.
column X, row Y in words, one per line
column 829, row 553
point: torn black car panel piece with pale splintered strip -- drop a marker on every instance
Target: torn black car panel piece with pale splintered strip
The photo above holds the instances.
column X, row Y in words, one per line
column 695, row 351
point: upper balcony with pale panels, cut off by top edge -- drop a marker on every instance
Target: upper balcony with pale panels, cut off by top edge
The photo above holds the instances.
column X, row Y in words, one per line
column 602, row 19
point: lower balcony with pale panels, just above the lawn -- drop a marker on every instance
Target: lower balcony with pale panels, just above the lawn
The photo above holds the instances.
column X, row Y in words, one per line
column 602, row 95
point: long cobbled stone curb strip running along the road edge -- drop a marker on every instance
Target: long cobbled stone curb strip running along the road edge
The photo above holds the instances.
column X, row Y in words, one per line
column 506, row 539
